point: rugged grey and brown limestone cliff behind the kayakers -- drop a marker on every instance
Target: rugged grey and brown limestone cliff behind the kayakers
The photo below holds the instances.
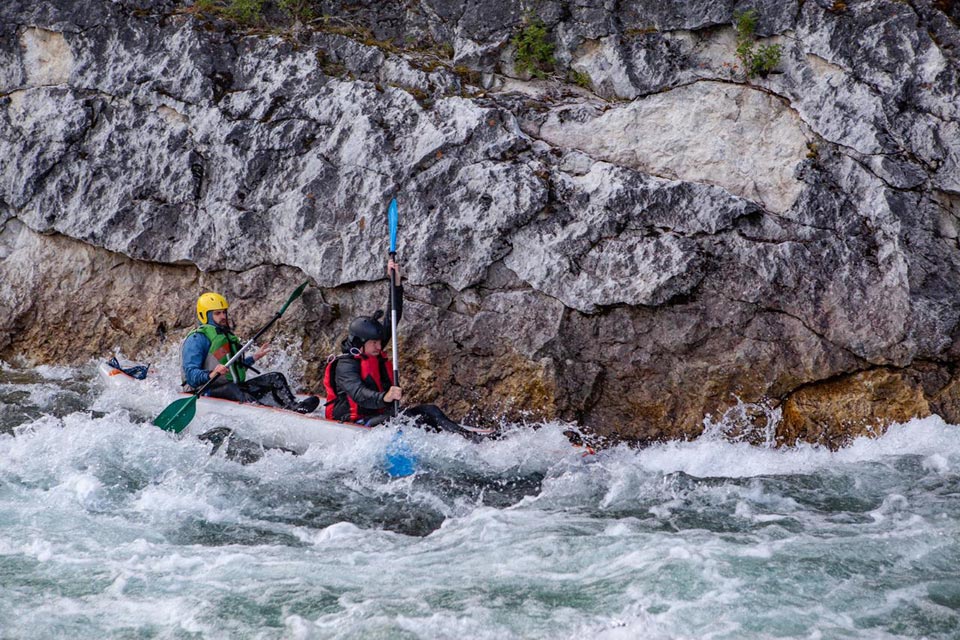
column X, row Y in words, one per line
column 643, row 238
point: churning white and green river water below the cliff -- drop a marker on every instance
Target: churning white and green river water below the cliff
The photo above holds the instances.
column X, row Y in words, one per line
column 111, row 528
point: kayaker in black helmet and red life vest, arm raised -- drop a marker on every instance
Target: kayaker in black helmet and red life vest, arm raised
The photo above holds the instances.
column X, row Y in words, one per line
column 359, row 382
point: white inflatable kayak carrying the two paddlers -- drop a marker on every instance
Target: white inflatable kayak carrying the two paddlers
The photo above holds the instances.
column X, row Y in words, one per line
column 269, row 426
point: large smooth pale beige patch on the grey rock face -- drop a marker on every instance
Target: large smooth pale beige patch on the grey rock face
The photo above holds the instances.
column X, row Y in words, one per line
column 738, row 138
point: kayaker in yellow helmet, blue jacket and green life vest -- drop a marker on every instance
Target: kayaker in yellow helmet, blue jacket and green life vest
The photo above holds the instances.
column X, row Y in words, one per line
column 206, row 350
